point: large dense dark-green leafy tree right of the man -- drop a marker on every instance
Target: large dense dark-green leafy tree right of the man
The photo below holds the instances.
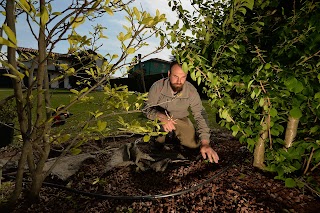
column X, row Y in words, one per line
column 259, row 61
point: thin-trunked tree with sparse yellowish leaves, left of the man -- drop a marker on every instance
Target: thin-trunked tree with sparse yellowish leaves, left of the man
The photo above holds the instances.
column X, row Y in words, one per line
column 53, row 27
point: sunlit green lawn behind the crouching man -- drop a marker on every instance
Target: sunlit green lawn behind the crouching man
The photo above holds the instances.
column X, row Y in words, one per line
column 81, row 111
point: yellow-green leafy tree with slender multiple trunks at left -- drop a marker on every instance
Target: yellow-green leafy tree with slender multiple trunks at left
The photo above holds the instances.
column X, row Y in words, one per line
column 50, row 25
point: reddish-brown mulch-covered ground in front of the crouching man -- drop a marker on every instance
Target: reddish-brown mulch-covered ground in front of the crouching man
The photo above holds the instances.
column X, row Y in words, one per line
column 193, row 185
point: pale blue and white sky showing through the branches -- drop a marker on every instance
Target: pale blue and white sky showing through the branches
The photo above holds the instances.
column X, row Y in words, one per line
column 112, row 23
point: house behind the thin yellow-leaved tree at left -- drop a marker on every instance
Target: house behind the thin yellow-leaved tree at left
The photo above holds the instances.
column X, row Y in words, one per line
column 58, row 78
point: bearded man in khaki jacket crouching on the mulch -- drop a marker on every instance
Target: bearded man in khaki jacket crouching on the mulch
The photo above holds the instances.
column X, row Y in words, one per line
column 169, row 100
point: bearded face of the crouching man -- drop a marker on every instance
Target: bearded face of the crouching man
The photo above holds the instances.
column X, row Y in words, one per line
column 177, row 78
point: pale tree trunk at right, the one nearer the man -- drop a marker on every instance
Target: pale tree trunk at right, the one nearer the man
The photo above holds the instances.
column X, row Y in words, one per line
column 259, row 149
